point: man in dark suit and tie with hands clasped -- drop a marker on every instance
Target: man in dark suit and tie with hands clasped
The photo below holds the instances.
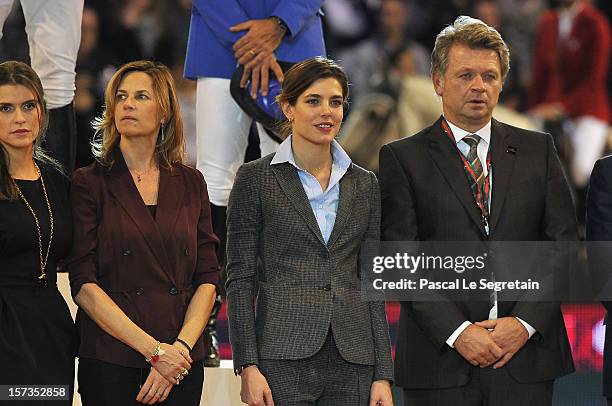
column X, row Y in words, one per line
column 469, row 177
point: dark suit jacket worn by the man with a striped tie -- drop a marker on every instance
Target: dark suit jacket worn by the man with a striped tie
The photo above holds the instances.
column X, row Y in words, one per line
column 426, row 197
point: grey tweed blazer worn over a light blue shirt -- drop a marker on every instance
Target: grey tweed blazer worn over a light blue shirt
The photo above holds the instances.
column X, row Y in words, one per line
column 302, row 285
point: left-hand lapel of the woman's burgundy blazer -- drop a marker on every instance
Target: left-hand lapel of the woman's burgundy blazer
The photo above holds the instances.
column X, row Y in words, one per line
column 122, row 187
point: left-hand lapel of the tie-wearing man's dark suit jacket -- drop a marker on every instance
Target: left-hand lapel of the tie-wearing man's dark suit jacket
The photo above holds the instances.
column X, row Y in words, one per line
column 445, row 156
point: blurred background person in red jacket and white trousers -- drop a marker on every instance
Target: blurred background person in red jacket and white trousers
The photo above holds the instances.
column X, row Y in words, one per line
column 572, row 55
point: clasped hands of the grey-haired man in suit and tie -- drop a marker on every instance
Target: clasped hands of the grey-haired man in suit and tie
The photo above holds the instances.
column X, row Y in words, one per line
column 492, row 342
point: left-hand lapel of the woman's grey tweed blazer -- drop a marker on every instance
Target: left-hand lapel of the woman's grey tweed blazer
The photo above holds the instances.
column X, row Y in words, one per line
column 289, row 181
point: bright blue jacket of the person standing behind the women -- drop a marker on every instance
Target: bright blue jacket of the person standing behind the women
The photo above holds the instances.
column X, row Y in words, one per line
column 209, row 50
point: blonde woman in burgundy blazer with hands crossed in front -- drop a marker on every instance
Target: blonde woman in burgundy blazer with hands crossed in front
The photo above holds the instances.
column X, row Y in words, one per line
column 143, row 268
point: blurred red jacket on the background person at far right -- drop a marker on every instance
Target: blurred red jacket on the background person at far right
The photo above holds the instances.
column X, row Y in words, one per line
column 573, row 72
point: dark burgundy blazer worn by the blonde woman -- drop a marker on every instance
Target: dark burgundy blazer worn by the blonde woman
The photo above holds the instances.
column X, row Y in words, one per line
column 149, row 267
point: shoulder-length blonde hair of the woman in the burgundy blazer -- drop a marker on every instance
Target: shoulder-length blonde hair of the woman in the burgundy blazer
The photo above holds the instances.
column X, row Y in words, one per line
column 170, row 150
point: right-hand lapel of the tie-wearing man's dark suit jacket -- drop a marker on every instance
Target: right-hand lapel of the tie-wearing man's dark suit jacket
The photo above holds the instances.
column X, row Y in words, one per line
column 502, row 161
